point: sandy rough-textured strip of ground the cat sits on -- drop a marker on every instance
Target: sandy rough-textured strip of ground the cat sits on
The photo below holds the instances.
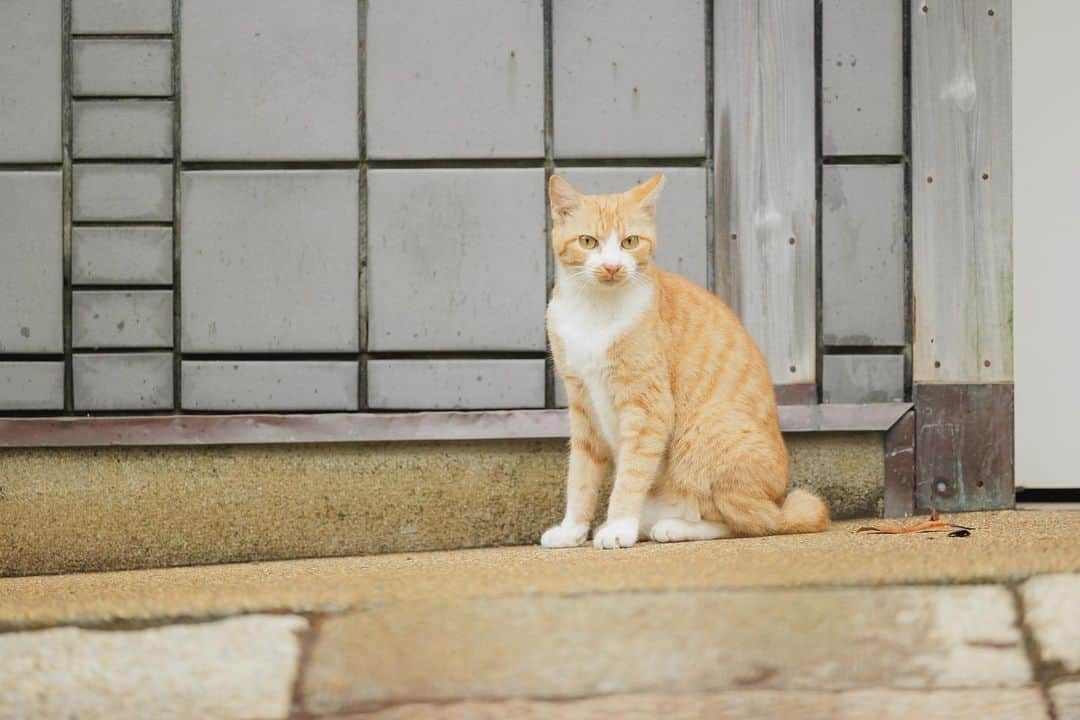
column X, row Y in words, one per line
column 1005, row 547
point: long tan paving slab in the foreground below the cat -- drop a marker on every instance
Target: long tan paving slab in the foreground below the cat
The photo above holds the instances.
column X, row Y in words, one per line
column 691, row 642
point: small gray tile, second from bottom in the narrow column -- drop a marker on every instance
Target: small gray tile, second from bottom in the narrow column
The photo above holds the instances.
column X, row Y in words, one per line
column 123, row 319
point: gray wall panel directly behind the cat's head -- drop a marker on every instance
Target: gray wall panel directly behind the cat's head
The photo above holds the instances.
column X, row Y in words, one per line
column 683, row 244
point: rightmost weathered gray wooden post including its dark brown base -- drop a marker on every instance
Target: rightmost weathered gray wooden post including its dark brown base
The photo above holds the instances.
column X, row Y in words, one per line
column 962, row 125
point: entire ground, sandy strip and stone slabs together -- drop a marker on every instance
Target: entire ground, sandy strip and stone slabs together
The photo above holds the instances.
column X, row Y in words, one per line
column 839, row 624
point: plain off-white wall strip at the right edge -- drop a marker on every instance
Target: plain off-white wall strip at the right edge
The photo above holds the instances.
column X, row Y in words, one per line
column 1046, row 61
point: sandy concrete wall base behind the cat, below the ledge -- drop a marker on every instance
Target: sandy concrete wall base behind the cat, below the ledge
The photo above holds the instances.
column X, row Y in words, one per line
column 87, row 509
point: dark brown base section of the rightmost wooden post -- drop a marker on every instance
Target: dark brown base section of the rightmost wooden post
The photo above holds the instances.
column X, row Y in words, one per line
column 965, row 446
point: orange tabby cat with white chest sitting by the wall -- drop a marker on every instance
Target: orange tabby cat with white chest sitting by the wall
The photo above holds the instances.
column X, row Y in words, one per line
column 664, row 381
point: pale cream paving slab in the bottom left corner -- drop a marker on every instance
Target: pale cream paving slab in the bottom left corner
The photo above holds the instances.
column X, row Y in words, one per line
column 241, row 668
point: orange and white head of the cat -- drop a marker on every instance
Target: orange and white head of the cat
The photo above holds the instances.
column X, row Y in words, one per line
column 604, row 241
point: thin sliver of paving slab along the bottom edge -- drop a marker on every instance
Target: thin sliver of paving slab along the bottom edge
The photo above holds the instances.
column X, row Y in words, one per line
column 1010, row 704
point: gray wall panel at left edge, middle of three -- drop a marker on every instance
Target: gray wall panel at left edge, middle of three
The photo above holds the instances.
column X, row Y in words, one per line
column 32, row 264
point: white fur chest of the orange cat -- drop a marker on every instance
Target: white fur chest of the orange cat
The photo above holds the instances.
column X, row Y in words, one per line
column 589, row 324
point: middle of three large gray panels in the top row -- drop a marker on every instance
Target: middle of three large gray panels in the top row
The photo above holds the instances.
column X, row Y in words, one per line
column 455, row 79
